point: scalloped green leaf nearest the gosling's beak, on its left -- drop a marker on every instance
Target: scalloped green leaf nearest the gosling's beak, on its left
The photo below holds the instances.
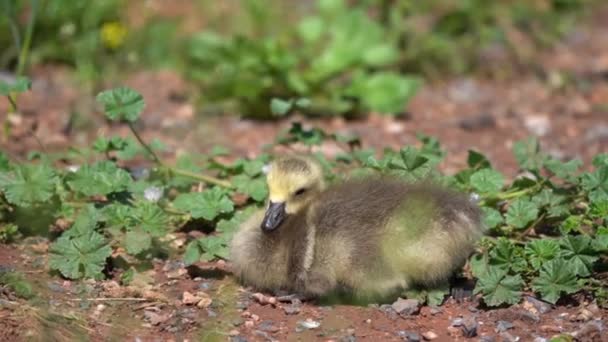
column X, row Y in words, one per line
column 207, row 204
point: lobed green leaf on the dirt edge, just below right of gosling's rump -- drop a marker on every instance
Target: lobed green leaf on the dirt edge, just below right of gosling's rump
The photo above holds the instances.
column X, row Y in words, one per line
column 499, row 288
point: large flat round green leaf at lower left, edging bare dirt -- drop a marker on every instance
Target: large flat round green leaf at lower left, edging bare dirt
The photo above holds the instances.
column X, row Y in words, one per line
column 80, row 256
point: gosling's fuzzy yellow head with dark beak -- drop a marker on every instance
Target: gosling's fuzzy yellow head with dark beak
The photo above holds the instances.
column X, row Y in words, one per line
column 293, row 182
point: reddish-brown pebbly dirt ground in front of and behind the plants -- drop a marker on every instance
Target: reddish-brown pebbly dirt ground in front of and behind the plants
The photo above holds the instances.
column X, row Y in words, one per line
column 564, row 103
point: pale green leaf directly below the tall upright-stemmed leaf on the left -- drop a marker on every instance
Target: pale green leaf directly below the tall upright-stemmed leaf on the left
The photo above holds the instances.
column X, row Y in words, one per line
column 101, row 178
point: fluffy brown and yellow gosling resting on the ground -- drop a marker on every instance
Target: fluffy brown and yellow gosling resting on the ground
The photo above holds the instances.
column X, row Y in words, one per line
column 369, row 238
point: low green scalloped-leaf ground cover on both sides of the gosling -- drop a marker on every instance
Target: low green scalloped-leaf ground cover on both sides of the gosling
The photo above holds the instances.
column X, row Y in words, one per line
column 548, row 232
